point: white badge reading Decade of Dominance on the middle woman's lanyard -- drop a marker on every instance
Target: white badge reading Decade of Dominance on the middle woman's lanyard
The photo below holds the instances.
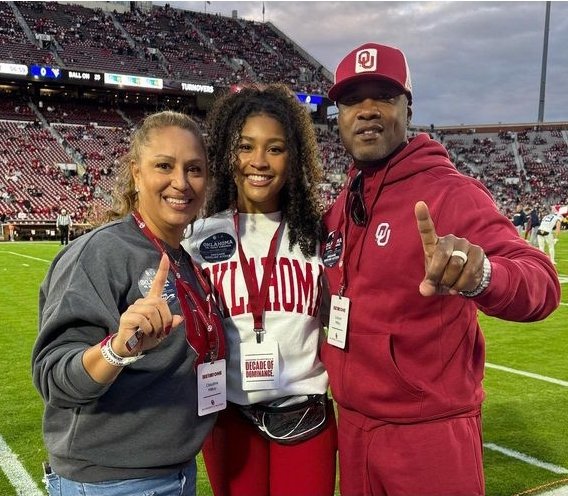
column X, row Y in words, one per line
column 260, row 365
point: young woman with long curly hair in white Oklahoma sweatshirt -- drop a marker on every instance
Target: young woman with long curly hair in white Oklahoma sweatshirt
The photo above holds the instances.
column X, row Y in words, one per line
column 260, row 246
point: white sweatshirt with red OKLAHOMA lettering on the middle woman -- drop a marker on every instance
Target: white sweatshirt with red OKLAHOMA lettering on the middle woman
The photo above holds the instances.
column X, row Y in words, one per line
column 294, row 299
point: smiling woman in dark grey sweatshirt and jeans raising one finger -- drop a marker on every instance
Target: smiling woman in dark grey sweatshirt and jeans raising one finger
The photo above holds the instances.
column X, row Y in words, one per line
column 119, row 342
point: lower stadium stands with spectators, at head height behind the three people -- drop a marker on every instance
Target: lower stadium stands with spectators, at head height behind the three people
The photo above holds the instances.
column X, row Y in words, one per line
column 35, row 178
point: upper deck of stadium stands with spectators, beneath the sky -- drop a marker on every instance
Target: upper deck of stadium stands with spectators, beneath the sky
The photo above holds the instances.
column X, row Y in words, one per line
column 160, row 42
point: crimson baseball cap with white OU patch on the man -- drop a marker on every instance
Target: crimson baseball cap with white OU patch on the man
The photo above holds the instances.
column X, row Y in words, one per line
column 369, row 62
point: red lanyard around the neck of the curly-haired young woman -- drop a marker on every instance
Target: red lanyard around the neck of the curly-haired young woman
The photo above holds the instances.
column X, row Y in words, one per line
column 258, row 297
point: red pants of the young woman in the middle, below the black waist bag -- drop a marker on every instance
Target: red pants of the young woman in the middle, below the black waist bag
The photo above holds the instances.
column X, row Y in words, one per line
column 240, row 462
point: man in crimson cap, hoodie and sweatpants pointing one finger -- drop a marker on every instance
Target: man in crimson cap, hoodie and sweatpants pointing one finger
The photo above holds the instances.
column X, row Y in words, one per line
column 414, row 249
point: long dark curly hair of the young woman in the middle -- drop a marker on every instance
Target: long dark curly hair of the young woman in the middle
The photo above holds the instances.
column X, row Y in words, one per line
column 299, row 199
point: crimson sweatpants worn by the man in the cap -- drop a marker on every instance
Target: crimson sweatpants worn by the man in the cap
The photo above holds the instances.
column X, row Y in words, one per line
column 437, row 458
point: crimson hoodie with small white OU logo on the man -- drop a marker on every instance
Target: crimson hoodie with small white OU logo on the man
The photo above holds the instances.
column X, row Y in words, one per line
column 412, row 358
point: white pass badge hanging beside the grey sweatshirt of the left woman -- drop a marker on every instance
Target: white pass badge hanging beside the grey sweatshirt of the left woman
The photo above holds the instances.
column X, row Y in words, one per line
column 211, row 387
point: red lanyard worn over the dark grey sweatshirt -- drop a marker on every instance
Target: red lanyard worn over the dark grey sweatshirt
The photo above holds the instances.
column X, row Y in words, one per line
column 205, row 336
